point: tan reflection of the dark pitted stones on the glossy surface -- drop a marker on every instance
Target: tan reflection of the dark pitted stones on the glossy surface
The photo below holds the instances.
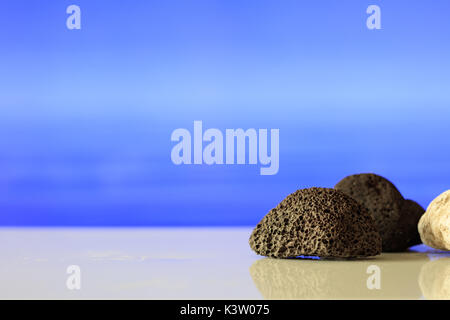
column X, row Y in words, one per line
column 337, row 279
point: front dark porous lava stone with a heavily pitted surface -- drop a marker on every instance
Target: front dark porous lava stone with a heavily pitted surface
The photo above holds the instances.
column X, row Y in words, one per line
column 316, row 222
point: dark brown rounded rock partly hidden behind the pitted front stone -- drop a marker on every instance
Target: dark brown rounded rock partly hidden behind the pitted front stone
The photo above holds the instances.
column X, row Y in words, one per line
column 395, row 218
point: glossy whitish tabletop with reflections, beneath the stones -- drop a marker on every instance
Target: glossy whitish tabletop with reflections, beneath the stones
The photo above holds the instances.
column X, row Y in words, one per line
column 200, row 263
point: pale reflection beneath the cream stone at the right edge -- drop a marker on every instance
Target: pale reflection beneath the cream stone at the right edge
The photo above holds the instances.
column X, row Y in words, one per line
column 434, row 279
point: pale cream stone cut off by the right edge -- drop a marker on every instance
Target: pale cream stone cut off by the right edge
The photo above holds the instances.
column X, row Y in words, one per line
column 434, row 226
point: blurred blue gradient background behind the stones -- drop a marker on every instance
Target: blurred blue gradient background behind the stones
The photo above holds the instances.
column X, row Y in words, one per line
column 86, row 115
